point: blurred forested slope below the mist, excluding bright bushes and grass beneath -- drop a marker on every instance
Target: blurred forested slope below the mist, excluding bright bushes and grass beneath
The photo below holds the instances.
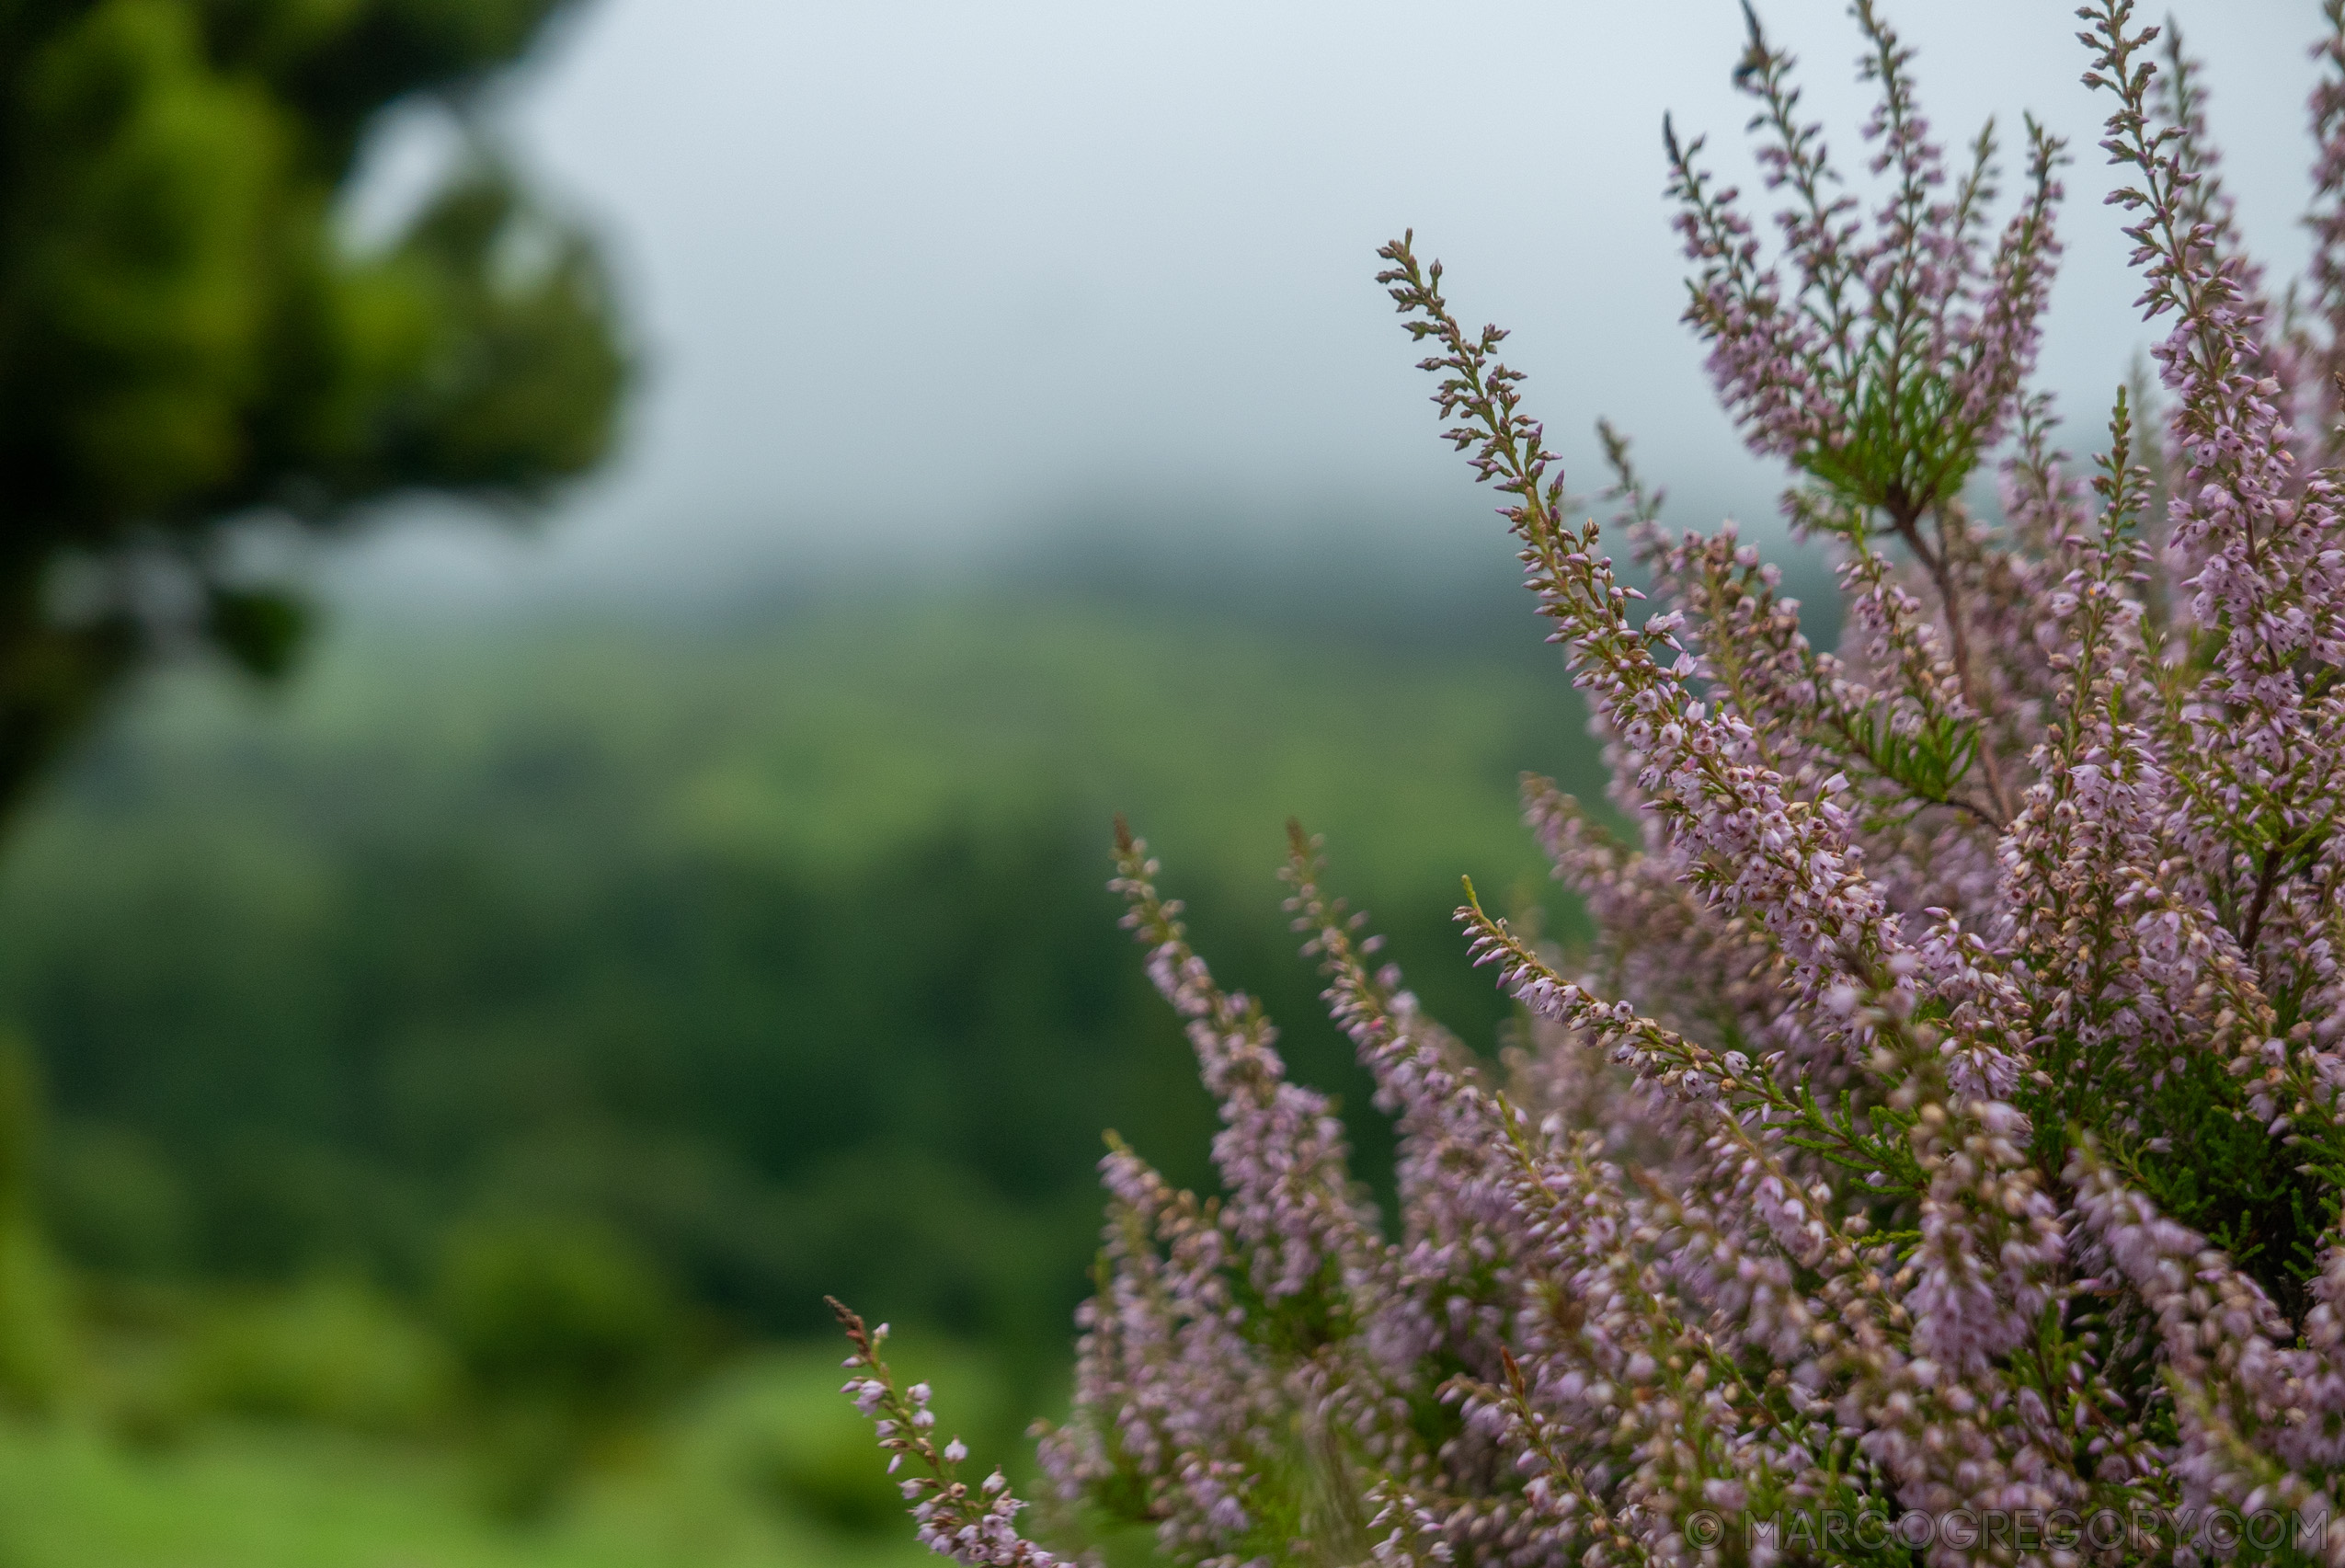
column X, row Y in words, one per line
column 780, row 953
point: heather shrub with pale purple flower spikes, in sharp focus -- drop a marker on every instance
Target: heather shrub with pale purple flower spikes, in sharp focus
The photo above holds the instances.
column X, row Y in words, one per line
column 1938, row 1152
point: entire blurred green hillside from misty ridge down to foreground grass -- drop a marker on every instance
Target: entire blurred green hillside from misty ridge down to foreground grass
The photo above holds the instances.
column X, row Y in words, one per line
column 494, row 1039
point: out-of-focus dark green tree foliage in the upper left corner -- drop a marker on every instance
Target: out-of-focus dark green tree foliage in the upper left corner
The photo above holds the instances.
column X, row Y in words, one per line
column 189, row 343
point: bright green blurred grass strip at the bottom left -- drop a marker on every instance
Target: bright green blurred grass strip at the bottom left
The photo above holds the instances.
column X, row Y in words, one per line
column 763, row 1468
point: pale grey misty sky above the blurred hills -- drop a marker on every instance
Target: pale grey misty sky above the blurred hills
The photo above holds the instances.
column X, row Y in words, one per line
column 913, row 275
